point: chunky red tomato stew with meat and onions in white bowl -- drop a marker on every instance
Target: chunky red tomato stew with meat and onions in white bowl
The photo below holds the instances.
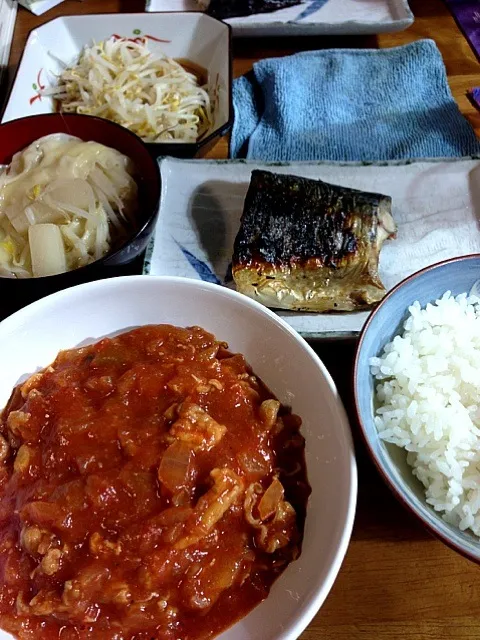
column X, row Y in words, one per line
column 151, row 488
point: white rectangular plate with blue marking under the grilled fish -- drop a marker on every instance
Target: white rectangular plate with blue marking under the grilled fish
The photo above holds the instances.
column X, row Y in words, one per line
column 436, row 205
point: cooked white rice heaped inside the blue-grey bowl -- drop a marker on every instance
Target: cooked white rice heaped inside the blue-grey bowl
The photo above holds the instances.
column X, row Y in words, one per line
column 428, row 402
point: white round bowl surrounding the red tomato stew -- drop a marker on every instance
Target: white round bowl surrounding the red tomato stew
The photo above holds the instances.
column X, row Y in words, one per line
column 32, row 337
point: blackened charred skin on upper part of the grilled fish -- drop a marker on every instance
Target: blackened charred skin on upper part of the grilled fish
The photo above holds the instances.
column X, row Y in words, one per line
column 291, row 219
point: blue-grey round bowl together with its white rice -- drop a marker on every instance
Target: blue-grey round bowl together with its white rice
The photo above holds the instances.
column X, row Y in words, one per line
column 417, row 396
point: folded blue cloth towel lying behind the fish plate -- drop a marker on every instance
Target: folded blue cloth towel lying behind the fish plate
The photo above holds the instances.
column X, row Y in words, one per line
column 350, row 104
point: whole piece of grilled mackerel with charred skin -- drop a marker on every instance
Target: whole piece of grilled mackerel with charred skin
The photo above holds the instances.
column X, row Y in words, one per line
column 306, row 245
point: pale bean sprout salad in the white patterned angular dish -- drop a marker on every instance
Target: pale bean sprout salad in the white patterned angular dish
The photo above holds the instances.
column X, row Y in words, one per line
column 147, row 92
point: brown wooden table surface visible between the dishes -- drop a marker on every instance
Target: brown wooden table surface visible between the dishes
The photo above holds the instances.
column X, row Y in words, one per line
column 396, row 582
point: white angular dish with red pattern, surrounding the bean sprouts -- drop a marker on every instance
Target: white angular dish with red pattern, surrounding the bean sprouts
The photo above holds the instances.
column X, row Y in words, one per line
column 187, row 36
